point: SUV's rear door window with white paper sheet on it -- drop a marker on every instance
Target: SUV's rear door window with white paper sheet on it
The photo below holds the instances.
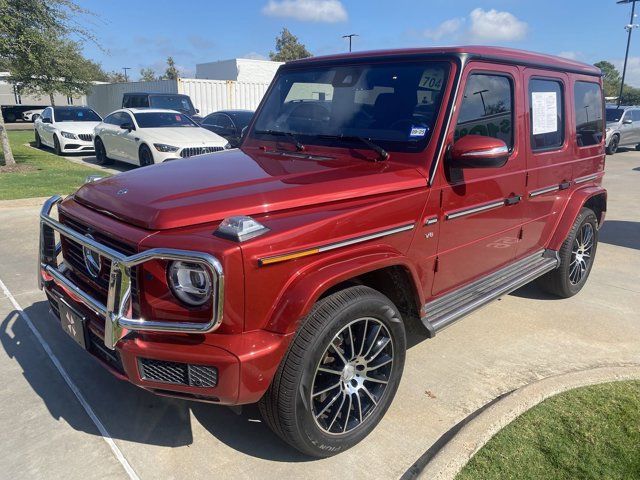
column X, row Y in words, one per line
column 546, row 114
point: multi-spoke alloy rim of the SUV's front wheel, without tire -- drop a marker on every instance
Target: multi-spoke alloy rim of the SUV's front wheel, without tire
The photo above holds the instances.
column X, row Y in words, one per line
column 352, row 376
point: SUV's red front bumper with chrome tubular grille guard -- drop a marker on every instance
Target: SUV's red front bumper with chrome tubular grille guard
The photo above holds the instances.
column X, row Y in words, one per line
column 244, row 363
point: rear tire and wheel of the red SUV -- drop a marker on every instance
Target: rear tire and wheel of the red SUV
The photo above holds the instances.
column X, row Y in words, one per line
column 569, row 278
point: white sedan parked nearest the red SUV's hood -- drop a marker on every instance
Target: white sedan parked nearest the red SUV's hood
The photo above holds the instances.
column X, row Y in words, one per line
column 144, row 136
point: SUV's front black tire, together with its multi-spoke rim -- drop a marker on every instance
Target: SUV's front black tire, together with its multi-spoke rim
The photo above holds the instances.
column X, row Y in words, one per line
column 289, row 407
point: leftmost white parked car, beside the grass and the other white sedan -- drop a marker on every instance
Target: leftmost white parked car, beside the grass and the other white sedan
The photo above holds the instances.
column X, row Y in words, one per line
column 66, row 129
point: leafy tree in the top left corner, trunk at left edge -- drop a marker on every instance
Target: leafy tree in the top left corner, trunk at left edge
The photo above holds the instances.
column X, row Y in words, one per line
column 26, row 26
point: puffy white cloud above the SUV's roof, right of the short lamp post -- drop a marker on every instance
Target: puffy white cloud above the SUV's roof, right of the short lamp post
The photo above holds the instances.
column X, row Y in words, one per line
column 481, row 26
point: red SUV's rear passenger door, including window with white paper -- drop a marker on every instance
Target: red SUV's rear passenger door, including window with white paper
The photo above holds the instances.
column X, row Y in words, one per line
column 548, row 155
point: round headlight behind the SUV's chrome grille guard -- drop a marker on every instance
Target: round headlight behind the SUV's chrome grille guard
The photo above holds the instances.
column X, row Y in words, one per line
column 190, row 282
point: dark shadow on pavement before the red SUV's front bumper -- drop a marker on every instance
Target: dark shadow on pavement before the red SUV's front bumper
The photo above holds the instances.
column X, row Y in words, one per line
column 129, row 413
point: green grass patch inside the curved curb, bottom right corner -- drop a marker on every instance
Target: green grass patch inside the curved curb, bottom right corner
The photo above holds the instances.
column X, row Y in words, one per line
column 587, row 433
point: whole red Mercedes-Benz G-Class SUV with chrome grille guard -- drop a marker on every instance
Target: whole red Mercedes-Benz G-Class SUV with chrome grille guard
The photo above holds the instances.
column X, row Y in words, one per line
column 373, row 192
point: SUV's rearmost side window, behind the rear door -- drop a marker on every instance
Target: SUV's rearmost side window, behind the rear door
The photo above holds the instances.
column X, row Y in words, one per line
column 589, row 114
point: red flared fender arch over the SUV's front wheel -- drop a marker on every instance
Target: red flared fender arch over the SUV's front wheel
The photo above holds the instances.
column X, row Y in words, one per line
column 302, row 292
